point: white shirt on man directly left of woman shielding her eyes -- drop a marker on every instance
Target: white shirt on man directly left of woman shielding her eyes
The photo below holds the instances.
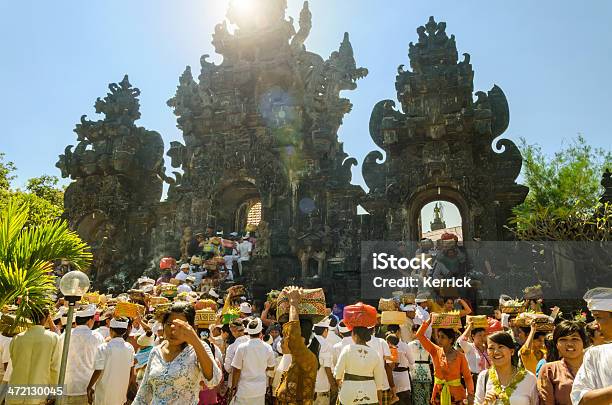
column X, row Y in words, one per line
column 115, row 359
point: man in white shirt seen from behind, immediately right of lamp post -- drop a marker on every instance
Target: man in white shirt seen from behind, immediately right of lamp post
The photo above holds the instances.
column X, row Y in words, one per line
column 81, row 356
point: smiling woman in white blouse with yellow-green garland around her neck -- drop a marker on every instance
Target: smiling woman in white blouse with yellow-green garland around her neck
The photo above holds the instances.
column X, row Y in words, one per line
column 504, row 382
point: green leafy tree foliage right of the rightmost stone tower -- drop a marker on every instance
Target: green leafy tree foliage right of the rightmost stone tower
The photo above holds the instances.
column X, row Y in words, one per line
column 564, row 191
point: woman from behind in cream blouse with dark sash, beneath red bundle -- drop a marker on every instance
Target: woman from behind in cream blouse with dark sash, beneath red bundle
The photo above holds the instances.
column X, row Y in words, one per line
column 359, row 371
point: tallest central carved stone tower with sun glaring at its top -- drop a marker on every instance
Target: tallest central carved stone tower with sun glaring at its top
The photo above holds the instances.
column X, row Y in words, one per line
column 262, row 126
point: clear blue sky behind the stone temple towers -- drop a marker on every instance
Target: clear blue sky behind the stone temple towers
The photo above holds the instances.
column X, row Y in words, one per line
column 553, row 59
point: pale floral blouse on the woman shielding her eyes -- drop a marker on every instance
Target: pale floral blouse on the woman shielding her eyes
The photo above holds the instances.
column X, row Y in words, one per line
column 176, row 382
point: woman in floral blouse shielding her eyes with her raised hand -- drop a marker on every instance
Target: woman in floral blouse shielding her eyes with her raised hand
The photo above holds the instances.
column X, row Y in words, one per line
column 179, row 363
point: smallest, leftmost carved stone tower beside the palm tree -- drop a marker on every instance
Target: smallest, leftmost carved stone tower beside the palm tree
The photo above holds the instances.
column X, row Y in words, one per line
column 117, row 168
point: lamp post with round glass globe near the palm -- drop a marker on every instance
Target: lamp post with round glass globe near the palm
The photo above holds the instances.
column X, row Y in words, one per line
column 73, row 286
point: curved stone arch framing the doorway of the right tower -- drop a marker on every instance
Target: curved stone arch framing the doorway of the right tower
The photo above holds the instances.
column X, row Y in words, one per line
column 422, row 198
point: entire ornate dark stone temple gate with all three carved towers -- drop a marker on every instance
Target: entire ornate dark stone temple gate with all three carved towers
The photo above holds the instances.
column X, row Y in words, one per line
column 262, row 127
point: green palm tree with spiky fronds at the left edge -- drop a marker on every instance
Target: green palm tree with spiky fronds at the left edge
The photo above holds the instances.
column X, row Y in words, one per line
column 26, row 259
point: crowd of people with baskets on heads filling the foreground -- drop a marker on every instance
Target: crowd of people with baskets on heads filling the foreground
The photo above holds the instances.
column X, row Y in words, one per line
column 162, row 344
